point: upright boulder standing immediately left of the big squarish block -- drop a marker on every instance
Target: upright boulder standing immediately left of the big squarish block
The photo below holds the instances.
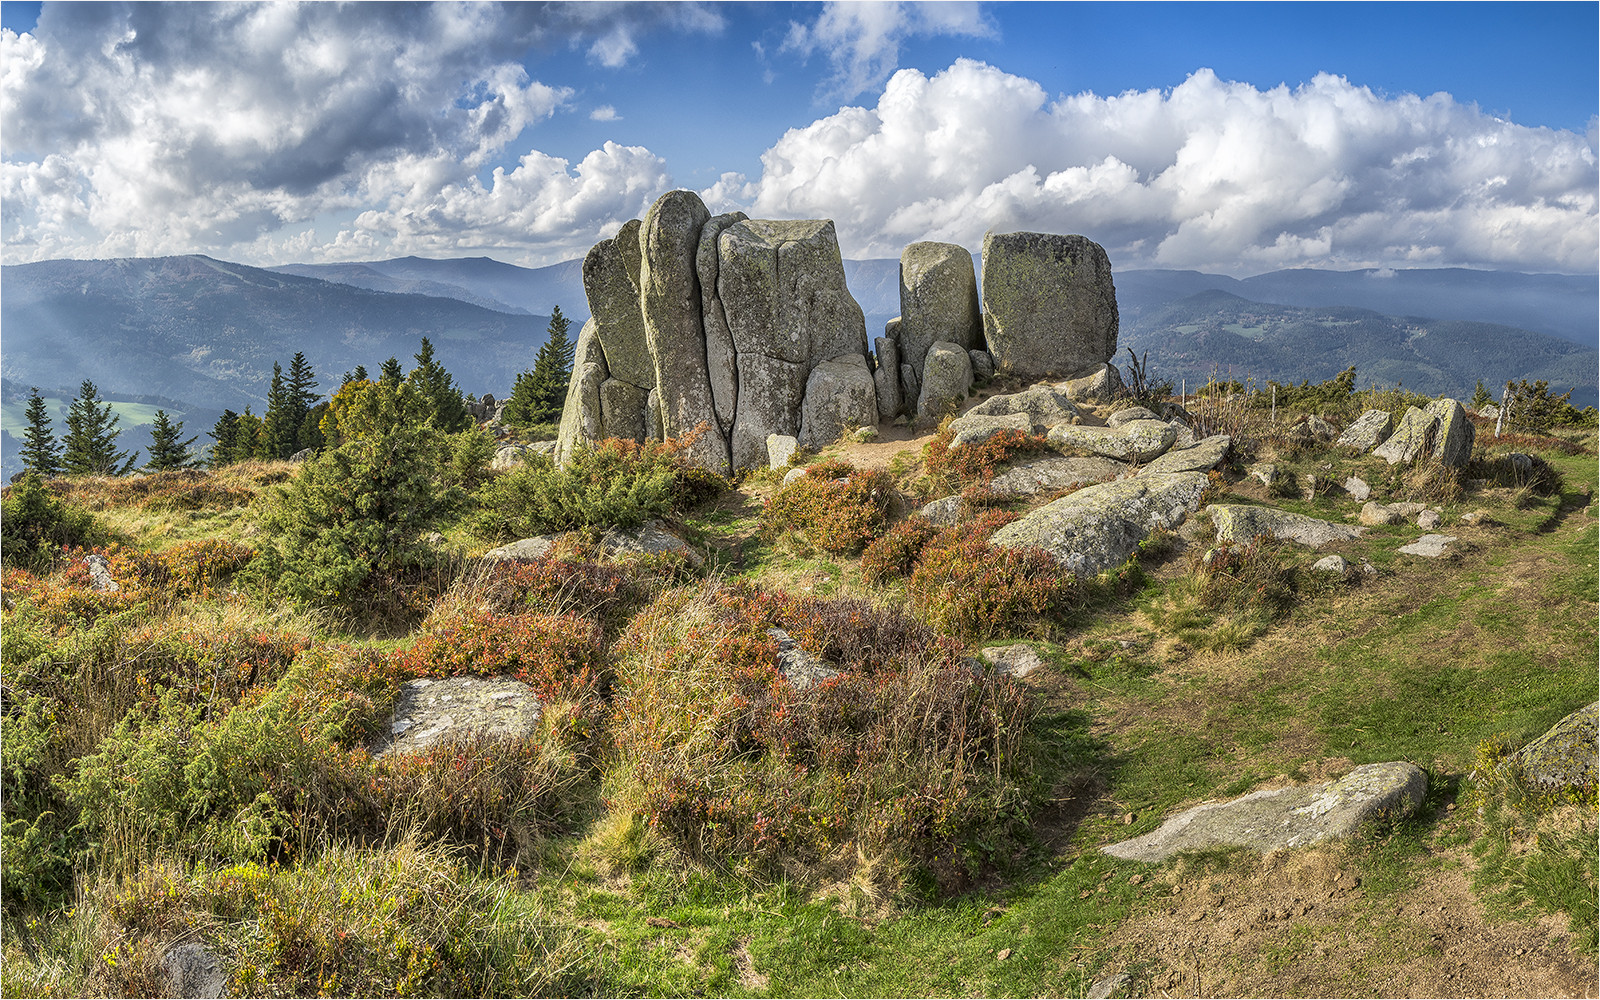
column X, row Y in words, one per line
column 938, row 302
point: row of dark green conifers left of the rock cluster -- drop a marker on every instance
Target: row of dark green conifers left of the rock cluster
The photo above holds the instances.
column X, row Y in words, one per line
column 297, row 418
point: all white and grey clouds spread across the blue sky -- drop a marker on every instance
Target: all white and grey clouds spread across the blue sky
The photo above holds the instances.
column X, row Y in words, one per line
column 329, row 132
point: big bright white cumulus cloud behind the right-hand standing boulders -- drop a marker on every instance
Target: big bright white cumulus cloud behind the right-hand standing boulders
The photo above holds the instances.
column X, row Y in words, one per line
column 1210, row 175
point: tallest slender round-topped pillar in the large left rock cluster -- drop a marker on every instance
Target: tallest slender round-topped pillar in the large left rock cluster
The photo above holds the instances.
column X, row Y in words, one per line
column 671, row 302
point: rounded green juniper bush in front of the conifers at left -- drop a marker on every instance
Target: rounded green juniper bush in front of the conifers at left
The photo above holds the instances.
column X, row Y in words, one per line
column 353, row 519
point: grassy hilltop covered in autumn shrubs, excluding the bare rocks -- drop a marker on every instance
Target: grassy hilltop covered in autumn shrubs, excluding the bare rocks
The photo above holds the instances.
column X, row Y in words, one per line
column 193, row 758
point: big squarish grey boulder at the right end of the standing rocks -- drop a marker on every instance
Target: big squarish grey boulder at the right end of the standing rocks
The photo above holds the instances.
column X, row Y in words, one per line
column 1050, row 308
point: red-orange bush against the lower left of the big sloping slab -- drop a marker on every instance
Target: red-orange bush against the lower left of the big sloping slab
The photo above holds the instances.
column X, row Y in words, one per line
column 974, row 591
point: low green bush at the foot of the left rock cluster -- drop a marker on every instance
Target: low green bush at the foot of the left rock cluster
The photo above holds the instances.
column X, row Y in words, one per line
column 615, row 484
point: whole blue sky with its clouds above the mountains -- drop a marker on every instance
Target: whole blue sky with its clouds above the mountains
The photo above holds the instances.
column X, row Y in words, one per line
column 1233, row 138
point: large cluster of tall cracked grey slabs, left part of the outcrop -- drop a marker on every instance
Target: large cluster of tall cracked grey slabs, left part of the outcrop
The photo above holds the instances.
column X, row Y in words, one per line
column 718, row 324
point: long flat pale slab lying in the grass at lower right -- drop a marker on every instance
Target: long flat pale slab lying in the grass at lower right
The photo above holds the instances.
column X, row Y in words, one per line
column 1286, row 818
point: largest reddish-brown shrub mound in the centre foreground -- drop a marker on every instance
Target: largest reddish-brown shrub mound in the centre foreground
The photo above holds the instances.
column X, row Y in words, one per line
column 902, row 759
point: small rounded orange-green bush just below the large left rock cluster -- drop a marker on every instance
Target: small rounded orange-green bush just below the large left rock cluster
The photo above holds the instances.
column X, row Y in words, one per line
column 834, row 508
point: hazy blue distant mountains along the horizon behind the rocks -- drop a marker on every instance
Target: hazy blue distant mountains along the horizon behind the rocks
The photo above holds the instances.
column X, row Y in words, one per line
column 204, row 334
